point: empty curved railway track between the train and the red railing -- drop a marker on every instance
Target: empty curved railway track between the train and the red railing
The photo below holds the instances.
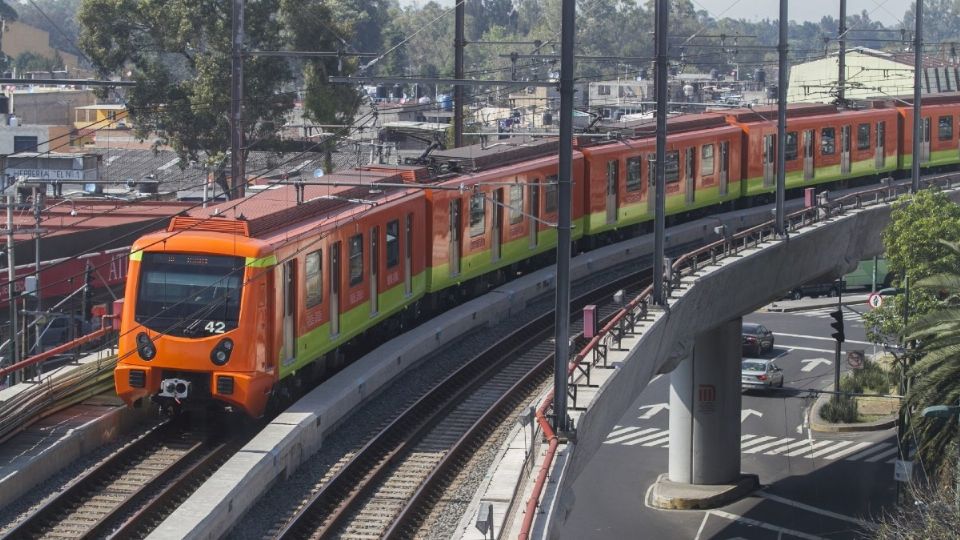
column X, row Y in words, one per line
column 386, row 488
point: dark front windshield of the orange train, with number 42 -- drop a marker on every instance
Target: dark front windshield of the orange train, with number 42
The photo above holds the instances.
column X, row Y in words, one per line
column 189, row 295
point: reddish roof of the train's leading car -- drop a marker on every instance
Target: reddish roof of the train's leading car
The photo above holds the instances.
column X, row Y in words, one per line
column 279, row 207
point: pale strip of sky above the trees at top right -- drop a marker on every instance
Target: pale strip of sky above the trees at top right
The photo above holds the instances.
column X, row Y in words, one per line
column 889, row 12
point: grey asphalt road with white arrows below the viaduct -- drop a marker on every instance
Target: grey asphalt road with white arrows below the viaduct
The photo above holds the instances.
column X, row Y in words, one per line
column 815, row 485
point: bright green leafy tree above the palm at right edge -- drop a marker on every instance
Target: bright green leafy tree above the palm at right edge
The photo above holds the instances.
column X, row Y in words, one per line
column 911, row 242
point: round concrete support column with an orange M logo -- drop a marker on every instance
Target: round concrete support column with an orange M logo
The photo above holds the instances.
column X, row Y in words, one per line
column 705, row 410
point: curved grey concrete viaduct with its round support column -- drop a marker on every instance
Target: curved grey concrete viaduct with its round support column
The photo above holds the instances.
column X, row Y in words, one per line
column 697, row 340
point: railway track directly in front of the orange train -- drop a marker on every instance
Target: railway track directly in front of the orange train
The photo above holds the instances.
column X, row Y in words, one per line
column 126, row 494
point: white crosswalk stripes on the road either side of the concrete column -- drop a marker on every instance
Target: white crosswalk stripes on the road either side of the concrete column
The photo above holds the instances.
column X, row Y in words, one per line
column 768, row 445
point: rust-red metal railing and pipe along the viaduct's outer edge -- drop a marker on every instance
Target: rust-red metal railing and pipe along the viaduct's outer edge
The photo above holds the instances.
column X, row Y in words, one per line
column 688, row 264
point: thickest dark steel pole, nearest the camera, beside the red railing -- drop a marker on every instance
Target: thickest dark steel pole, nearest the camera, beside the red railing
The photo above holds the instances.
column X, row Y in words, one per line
column 564, row 192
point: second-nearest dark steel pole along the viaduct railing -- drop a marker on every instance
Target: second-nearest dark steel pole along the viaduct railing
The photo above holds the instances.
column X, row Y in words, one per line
column 660, row 35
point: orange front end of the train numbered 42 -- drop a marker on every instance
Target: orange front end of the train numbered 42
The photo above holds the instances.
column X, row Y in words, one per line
column 194, row 321
